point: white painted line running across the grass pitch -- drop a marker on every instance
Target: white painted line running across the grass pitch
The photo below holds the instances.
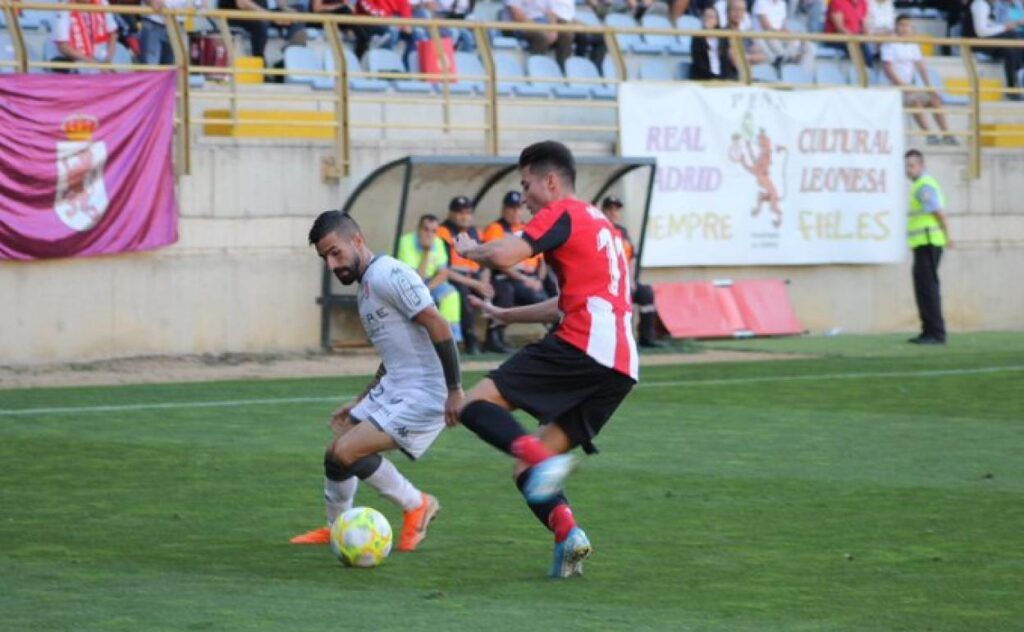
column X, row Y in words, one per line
column 654, row 385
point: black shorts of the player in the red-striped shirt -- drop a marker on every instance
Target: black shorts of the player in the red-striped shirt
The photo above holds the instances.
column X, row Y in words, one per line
column 558, row 384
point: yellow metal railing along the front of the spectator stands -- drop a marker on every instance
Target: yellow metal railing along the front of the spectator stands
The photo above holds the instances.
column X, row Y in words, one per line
column 342, row 98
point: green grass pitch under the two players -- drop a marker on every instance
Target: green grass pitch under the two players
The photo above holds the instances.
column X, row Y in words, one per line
column 874, row 487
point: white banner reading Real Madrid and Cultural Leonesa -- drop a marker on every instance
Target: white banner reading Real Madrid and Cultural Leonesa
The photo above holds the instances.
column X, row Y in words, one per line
column 758, row 177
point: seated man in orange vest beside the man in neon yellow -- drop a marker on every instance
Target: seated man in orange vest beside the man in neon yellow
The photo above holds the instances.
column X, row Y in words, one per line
column 466, row 275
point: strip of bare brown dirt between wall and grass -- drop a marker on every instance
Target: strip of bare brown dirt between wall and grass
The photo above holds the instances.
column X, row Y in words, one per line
column 150, row 370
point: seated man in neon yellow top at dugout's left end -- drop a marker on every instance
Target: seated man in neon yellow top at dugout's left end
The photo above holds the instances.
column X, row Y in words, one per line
column 425, row 252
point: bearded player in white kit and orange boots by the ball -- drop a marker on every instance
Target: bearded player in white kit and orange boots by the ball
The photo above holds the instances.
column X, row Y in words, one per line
column 416, row 392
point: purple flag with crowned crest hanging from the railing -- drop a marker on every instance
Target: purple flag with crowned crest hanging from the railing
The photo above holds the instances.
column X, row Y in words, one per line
column 86, row 164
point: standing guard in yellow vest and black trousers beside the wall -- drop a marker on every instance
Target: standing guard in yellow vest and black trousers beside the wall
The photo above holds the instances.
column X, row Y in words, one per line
column 927, row 235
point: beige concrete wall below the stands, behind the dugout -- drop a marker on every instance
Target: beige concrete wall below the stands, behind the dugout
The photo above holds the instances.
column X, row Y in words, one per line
column 242, row 278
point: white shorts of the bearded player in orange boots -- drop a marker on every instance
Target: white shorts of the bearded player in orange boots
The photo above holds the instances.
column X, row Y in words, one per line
column 413, row 425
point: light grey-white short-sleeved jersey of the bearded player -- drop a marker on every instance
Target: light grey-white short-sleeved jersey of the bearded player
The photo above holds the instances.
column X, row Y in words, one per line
column 392, row 294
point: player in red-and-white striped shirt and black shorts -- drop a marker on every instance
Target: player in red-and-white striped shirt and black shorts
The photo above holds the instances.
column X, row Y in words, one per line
column 576, row 377
